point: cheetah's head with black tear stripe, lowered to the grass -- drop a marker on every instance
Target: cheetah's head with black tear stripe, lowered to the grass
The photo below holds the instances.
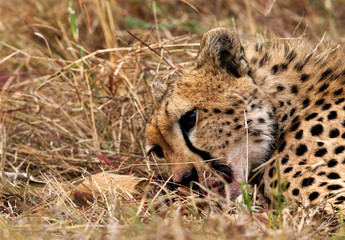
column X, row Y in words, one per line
column 212, row 124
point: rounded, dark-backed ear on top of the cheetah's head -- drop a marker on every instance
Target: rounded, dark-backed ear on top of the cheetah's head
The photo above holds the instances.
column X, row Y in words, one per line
column 222, row 48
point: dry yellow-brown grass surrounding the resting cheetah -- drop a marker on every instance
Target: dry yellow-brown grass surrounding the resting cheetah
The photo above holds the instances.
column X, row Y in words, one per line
column 74, row 94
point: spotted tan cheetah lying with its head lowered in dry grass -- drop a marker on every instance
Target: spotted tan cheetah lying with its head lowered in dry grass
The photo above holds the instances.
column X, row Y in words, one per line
column 278, row 104
